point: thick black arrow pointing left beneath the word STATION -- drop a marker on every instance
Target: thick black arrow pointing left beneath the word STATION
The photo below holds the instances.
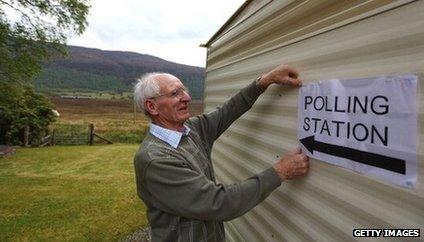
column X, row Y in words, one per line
column 372, row 159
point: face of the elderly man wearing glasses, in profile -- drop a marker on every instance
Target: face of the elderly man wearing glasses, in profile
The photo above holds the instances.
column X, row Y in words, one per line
column 171, row 107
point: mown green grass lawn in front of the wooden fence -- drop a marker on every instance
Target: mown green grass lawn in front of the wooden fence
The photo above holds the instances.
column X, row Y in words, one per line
column 65, row 193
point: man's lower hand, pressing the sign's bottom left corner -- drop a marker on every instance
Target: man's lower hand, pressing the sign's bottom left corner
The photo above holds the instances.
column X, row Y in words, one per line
column 293, row 165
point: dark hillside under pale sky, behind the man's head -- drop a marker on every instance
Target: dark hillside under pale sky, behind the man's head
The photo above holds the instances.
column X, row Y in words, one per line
column 99, row 70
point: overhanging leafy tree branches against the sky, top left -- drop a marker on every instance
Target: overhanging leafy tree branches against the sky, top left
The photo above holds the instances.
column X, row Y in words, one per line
column 31, row 31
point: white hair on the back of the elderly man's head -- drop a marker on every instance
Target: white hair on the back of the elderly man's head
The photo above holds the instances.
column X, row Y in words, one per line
column 145, row 88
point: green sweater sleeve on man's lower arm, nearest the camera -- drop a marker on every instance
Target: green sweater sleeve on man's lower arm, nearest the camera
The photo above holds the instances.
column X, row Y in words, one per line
column 177, row 189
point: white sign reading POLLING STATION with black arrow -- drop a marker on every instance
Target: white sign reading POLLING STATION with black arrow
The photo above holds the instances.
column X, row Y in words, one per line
column 365, row 125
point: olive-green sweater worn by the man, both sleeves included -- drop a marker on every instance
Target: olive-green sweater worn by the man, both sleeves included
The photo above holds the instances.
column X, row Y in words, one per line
column 184, row 202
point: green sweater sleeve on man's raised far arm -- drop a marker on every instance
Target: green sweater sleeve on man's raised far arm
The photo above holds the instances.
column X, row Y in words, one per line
column 211, row 125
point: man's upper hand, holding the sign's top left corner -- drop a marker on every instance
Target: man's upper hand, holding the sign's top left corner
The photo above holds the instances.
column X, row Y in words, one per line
column 282, row 74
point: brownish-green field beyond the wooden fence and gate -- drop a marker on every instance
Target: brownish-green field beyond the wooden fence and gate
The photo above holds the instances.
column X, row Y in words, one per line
column 113, row 119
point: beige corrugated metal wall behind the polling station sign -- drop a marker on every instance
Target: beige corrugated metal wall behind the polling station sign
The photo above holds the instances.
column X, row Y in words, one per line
column 324, row 39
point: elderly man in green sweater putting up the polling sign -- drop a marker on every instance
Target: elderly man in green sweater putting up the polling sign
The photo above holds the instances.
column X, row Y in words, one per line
column 174, row 172
